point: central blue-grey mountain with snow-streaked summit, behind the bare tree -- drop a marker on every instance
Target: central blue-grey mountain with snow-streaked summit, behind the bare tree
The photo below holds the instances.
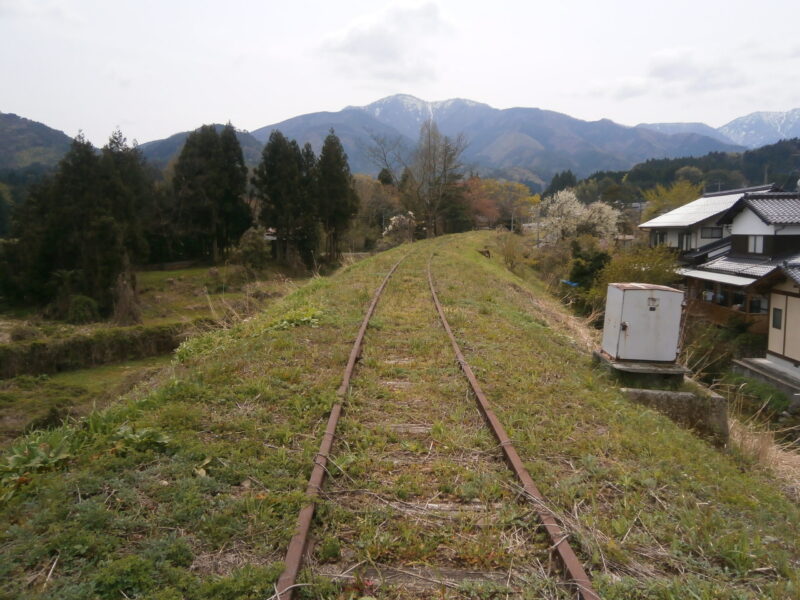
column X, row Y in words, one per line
column 527, row 144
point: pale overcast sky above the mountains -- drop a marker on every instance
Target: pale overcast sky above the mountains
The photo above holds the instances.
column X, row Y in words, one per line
column 154, row 68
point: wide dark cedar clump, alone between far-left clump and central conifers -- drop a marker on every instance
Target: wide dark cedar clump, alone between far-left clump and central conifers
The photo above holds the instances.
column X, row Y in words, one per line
column 209, row 184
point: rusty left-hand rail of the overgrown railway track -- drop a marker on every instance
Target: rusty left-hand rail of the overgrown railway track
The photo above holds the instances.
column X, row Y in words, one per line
column 294, row 554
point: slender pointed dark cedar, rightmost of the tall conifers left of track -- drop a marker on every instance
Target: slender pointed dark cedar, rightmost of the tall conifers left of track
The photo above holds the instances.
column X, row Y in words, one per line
column 337, row 199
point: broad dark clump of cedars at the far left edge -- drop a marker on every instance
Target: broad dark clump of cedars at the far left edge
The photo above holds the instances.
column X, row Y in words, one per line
column 79, row 229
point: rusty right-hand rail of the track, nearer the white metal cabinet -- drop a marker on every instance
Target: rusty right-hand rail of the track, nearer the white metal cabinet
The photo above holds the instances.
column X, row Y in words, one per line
column 569, row 562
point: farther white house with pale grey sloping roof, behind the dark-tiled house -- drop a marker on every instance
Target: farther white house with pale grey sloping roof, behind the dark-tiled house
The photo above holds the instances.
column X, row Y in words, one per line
column 694, row 225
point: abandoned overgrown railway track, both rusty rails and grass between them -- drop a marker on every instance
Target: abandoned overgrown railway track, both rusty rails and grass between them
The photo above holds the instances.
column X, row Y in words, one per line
column 419, row 503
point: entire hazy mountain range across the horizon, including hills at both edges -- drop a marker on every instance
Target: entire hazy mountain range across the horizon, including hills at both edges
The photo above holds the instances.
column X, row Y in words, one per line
column 523, row 144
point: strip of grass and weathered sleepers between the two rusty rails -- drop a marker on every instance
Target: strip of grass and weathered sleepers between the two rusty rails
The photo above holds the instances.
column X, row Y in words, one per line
column 418, row 481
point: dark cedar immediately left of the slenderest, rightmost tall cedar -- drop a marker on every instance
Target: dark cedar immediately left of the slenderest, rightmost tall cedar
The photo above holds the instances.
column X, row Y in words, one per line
column 284, row 182
